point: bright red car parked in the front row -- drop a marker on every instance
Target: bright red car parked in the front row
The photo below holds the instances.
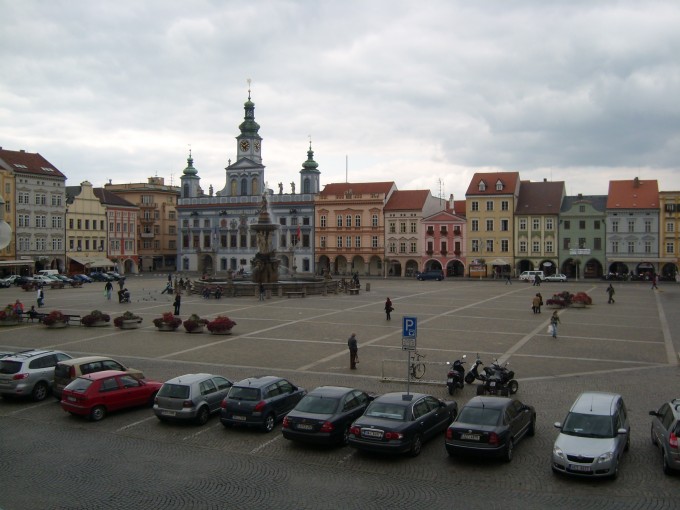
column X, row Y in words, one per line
column 98, row 393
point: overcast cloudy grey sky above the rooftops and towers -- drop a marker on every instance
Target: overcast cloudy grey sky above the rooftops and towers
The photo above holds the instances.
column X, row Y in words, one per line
column 423, row 93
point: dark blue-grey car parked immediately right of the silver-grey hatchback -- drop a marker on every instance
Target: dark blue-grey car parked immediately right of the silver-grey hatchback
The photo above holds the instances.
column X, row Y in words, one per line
column 259, row 401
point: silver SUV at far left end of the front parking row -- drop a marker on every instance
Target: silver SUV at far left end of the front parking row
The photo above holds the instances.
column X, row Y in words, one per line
column 29, row 373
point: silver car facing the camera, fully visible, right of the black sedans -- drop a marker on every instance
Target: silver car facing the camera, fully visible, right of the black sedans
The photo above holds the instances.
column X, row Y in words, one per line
column 593, row 437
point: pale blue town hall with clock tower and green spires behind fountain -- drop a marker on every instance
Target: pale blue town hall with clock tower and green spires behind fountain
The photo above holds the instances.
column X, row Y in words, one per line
column 214, row 229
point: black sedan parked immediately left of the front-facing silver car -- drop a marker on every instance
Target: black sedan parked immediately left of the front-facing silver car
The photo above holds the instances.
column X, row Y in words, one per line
column 490, row 426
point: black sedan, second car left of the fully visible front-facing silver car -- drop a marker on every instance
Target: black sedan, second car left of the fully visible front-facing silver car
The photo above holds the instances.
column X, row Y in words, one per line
column 400, row 423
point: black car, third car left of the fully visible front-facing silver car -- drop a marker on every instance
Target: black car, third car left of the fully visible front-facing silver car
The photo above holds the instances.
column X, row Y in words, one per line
column 325, row 415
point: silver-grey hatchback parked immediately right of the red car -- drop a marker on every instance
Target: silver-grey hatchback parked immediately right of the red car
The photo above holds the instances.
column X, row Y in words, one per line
column 191, row 397
